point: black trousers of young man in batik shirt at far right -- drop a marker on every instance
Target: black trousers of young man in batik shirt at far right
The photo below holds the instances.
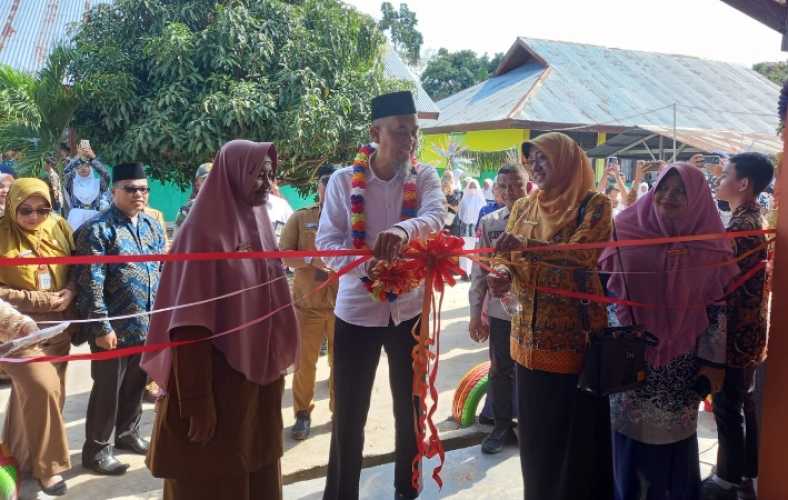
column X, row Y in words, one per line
column 737, row 426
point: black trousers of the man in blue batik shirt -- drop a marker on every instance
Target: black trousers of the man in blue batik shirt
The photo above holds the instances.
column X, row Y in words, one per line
column 115, row 404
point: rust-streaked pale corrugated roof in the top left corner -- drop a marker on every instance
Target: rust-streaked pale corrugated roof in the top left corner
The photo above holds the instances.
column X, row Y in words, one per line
column 30, row 29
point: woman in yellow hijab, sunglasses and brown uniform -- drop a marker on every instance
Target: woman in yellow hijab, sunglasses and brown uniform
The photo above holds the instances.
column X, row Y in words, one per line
column 34, row 430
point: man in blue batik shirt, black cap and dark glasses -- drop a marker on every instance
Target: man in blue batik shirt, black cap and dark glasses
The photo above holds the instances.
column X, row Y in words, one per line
column 106, row 291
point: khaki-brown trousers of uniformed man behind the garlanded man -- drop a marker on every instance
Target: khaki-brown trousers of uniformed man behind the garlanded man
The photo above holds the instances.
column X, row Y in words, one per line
column 315, row 324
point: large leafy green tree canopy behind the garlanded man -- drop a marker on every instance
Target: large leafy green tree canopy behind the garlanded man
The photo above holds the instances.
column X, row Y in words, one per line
column 167, row 82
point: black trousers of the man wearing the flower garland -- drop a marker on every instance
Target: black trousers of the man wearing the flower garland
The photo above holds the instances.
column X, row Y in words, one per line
column 356, row 355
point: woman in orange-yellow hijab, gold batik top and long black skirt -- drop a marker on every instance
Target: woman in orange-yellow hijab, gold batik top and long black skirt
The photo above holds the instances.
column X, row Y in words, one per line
column 565, row 449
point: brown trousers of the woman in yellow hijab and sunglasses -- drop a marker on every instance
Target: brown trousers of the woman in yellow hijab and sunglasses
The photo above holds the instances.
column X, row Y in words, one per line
column 34, row 431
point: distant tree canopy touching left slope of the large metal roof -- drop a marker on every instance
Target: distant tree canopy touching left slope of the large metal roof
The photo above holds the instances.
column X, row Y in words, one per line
column 450, row 72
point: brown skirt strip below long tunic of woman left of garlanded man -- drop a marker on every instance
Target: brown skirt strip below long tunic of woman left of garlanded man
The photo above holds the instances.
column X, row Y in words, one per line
column 263, row 484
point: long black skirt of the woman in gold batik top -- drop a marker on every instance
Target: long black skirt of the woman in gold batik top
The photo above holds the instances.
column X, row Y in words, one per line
column 565, row 440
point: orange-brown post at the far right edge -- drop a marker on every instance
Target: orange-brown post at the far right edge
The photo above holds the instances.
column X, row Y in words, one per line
column 773, row 483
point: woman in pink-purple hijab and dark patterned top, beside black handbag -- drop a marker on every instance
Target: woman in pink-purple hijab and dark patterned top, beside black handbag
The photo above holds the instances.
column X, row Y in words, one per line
column 655, row 425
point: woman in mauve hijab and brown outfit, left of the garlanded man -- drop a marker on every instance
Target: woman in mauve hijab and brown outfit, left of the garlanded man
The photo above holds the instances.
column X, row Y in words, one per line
column 218, row 428
